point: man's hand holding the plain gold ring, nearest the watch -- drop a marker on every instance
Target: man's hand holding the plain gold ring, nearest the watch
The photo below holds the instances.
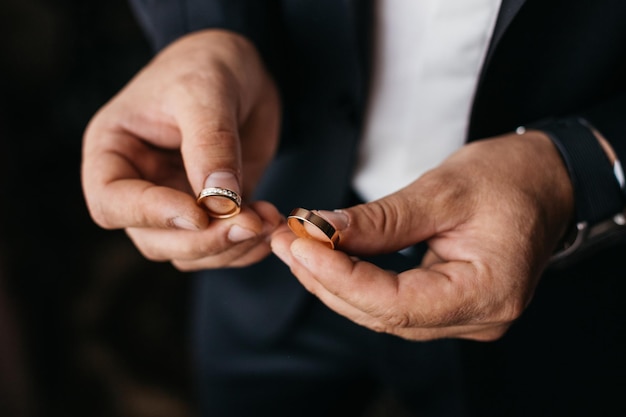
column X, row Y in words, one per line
column 492, row 214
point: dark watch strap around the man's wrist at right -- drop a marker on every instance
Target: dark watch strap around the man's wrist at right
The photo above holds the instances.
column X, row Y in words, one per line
column 597, row 193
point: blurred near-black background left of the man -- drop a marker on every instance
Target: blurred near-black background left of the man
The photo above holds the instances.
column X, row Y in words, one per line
column 87, row 326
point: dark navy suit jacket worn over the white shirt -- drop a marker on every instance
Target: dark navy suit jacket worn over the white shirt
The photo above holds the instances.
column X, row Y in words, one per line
column 548, row 58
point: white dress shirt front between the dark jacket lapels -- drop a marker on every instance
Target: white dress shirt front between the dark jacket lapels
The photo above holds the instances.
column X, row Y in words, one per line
column 428, row 56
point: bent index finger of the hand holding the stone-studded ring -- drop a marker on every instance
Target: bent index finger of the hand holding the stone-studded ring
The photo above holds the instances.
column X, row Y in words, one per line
column 118, row 195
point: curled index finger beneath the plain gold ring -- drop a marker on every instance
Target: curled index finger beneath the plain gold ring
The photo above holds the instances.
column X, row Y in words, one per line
column 418, row 298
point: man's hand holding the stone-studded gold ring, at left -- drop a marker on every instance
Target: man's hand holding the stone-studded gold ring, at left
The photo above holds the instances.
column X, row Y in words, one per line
column 203, row 113
